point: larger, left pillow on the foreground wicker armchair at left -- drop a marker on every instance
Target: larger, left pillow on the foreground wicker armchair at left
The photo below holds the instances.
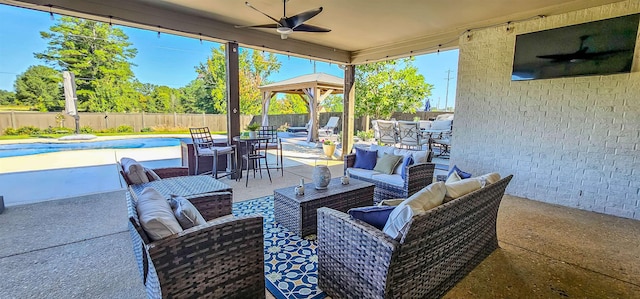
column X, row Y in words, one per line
column 155, row 215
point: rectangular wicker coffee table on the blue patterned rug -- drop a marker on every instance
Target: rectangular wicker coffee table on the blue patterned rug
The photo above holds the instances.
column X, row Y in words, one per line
column 298, row 213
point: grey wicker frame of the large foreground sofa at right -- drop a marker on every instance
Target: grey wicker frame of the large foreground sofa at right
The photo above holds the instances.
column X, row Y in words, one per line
column 356, row 260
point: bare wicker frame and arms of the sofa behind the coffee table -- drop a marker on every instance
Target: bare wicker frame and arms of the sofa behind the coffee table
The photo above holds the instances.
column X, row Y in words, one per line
column 418, row 176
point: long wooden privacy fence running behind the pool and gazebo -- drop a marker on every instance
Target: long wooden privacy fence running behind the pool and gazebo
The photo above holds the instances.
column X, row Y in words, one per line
column 215, row 122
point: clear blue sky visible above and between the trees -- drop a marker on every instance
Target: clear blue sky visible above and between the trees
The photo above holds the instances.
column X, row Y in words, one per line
column 170, row 60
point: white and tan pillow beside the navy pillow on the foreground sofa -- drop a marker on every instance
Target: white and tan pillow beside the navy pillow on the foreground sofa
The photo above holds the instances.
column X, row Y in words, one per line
column 429, row 197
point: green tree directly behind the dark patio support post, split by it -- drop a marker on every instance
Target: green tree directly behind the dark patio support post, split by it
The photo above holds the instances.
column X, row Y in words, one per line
column 254, row 66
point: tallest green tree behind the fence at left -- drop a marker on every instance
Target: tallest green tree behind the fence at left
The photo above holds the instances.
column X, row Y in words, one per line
column 98, row 54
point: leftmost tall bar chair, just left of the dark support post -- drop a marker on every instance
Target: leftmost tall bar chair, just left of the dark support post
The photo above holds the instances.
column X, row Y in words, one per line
column 205, row 147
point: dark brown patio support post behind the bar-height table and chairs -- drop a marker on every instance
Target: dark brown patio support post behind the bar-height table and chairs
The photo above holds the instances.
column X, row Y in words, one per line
column 233, row 95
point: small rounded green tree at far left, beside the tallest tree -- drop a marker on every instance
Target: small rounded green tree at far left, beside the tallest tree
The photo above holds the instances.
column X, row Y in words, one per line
column 40, row 87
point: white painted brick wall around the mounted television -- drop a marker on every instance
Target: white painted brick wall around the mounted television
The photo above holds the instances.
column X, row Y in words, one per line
column 568, row 141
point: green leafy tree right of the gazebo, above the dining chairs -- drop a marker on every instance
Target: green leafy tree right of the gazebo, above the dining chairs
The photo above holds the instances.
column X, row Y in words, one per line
column 389, row 86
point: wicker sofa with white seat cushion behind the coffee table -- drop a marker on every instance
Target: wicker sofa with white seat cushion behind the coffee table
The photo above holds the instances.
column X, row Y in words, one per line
column 418, row 175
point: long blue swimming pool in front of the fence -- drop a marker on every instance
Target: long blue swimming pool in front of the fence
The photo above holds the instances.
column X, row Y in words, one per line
column 24, row 149
